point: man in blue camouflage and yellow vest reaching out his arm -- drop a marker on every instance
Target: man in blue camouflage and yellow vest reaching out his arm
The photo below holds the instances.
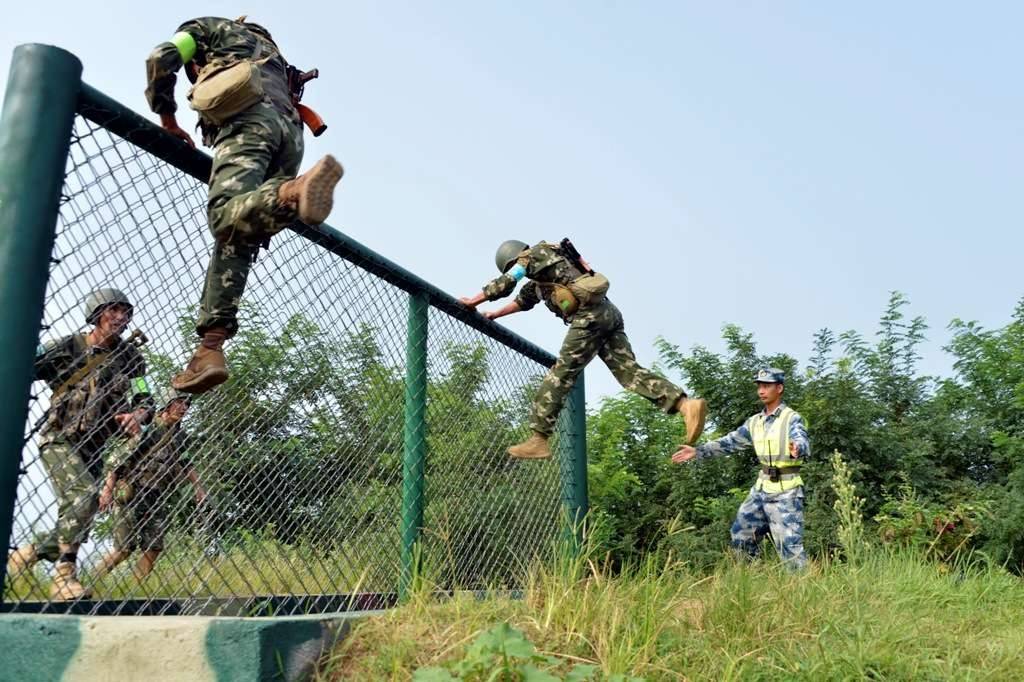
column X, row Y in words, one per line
column 776, row 504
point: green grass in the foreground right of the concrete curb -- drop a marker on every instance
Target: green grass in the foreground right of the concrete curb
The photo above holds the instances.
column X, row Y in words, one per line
column 891, row 617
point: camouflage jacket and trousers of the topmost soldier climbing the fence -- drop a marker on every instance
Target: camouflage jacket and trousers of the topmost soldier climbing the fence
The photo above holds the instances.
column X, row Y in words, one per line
column 255, row 153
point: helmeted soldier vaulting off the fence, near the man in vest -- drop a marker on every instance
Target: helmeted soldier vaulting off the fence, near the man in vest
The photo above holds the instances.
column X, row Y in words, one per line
column 596, row 328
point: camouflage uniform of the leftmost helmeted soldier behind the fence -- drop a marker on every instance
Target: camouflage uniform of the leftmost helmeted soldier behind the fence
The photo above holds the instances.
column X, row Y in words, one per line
column 79, row 423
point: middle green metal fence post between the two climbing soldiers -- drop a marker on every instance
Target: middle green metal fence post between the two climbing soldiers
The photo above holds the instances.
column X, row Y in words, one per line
column 416, row 437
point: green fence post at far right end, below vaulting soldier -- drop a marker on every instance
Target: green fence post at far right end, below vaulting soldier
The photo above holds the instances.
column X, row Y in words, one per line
column 574, row 458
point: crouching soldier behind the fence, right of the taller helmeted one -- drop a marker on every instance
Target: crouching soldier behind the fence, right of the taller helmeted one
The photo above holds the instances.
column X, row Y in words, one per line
column 144, row 473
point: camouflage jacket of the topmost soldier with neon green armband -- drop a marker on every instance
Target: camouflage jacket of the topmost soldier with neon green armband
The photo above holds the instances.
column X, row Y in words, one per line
column 218, row 39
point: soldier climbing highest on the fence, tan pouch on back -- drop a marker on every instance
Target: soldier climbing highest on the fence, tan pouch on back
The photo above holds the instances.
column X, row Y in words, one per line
column 254, row 192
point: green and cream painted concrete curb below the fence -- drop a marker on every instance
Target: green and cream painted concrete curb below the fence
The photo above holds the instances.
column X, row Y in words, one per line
column 47, row 649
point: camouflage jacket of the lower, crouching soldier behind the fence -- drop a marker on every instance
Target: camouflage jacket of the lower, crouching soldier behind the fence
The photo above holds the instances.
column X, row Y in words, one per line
column 155, row 460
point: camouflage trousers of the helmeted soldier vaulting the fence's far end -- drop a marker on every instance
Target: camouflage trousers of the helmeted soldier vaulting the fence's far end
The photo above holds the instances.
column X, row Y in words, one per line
column 599, row 331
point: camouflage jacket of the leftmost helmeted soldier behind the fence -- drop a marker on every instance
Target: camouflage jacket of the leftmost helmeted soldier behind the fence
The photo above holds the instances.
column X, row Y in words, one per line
column 87, row 407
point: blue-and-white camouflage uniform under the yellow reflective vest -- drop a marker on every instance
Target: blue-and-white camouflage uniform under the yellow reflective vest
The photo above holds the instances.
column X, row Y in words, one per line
column 767, row 509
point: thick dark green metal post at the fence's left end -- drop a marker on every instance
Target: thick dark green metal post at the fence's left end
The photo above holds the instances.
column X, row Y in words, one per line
column 35, row 137
